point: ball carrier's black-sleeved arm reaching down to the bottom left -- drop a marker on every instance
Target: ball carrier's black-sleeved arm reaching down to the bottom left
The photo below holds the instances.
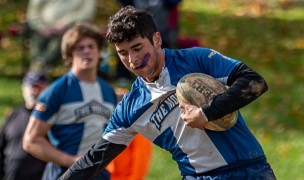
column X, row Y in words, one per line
column 92, row 163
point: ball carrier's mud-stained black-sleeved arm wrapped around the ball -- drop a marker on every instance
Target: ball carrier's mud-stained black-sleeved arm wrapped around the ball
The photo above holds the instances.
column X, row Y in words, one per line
column 245, row 86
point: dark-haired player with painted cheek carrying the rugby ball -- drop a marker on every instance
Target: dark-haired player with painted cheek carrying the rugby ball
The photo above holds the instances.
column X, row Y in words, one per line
column 151, row 107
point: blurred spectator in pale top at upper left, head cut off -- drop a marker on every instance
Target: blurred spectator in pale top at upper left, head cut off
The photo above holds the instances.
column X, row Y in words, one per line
column 47, row 21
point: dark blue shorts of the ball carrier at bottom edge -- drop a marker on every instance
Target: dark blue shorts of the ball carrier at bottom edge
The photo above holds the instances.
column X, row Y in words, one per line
column 259, row 170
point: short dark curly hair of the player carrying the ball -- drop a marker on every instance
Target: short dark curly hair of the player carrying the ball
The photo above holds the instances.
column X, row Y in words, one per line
column 129, row 23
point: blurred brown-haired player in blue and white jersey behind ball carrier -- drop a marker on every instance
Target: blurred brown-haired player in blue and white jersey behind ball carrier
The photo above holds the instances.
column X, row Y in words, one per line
column 74, row 109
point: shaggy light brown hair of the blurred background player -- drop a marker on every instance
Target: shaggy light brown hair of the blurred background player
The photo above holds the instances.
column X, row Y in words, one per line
column 75, row 34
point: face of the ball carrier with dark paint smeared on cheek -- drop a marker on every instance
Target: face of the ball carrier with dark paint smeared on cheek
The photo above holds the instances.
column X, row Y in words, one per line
column 141, row 57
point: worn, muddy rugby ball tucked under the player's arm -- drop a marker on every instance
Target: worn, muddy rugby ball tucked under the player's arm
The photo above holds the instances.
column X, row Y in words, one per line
column 198, row 89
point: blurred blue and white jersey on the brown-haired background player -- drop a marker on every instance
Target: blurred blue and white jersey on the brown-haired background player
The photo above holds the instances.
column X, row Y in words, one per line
column 77, row 110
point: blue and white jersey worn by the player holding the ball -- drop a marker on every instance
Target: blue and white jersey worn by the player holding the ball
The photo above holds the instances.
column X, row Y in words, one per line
column 152, row 109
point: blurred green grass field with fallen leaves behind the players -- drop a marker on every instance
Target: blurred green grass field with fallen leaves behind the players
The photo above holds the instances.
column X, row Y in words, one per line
column 268, row 37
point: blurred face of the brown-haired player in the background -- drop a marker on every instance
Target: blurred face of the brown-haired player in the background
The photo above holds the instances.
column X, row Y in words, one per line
column 86, row 55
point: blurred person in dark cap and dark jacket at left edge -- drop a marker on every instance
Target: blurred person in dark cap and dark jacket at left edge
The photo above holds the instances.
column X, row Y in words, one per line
column 15, row 163
